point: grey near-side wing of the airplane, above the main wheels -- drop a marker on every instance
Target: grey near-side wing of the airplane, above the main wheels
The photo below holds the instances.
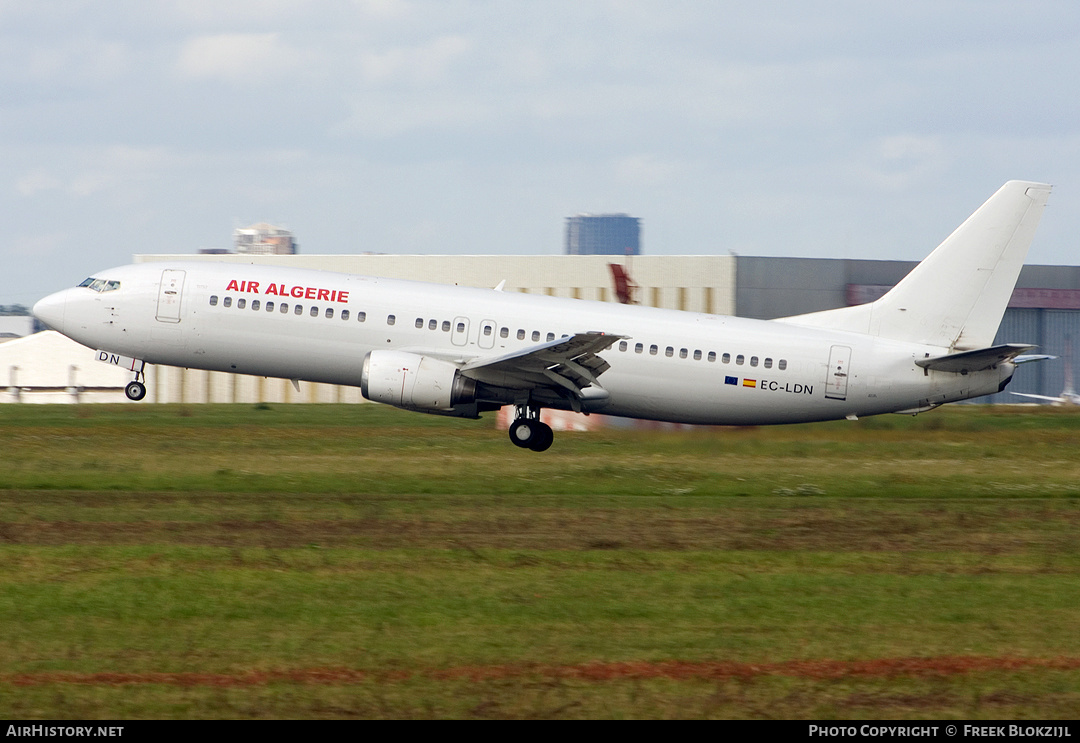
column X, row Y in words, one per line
column 569, row 364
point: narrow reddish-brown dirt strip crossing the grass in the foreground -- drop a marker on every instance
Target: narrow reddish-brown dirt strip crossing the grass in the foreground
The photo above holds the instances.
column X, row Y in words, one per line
column 883, row 668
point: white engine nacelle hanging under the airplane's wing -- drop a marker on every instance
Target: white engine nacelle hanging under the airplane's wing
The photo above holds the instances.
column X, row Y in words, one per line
column 417, row 383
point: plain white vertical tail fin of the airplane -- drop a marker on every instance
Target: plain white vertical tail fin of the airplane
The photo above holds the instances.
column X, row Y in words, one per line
column 956, row 298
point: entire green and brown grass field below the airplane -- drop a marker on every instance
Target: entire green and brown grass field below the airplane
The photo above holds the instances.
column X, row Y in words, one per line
column 362, row 562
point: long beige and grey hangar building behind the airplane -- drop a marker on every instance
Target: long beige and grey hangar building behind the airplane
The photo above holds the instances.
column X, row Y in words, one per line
column 1045, row 308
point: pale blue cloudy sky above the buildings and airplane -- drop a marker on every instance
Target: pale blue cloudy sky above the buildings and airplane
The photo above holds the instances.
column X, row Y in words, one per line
column 830, row 130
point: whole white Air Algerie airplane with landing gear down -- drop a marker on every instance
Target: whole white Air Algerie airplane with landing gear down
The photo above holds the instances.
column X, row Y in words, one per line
column 462, row 352
